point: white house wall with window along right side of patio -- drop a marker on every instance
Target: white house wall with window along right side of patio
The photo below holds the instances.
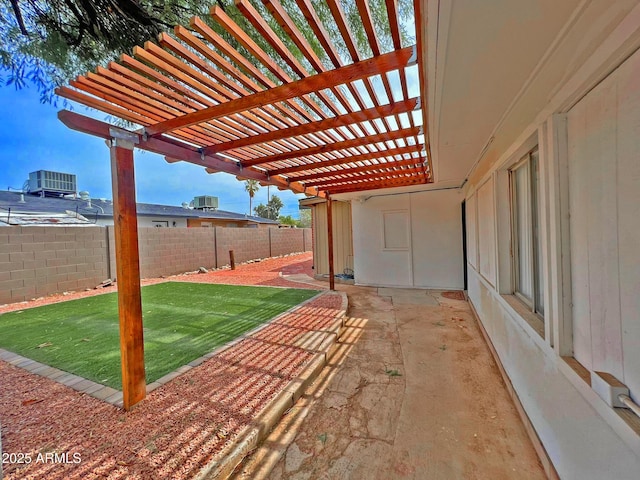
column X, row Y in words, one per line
column 585, row 258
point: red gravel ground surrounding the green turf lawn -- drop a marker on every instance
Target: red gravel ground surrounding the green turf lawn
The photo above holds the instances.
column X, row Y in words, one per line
column 181, row 425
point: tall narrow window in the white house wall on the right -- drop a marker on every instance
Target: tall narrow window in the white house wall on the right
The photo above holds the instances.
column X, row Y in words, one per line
column 526, row 238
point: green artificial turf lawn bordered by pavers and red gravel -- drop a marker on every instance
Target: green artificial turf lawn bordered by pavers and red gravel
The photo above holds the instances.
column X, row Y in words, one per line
column 182, row 321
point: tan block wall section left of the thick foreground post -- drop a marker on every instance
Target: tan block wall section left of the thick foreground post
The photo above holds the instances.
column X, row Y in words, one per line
column 38, row 261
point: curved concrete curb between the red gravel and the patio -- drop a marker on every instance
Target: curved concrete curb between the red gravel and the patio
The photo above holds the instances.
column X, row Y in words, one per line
column 222, row 465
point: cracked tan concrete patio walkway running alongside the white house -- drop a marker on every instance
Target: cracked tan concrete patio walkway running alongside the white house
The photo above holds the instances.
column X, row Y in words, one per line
column 412, row 392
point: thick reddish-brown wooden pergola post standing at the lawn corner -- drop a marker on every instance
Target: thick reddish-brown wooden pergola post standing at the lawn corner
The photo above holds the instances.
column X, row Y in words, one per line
column 128, row 269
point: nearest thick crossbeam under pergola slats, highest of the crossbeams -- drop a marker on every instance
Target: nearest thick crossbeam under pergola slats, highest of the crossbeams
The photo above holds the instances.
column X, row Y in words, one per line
column 394, row 60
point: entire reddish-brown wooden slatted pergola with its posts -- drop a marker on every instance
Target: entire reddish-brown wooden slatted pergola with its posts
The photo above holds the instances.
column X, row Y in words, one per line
column 315, row 126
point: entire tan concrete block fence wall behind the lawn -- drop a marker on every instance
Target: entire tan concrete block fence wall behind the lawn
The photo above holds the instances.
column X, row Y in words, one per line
column 39, row 261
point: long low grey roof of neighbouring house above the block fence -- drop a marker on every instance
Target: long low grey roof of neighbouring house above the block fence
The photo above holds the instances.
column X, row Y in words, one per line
column 100, row 208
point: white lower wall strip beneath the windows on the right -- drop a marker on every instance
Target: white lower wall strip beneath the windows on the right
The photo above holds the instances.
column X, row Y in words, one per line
column 583, row 437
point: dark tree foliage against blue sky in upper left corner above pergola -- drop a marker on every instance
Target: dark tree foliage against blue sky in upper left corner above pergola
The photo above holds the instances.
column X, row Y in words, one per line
column 48, row 43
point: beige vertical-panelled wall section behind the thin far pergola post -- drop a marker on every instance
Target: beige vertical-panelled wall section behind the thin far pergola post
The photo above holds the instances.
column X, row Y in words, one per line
column 342, row 238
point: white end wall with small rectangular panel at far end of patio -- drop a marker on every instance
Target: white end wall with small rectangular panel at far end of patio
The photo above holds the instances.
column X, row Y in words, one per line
column 409, row 240
